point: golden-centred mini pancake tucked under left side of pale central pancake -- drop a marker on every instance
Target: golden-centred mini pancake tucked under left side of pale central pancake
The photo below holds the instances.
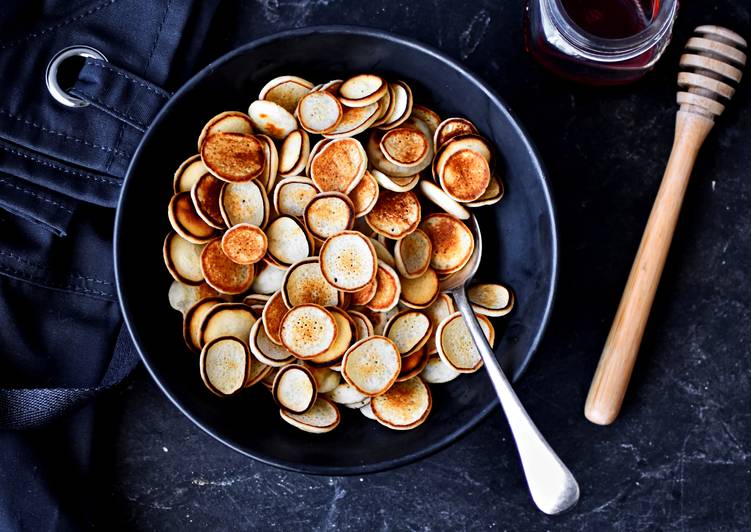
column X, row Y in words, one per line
column 304, row 283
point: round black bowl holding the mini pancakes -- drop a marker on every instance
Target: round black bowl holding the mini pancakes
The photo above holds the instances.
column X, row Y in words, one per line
column 519, row 240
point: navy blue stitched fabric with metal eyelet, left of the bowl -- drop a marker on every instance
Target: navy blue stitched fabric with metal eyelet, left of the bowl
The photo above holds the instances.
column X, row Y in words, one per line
column 62, row 341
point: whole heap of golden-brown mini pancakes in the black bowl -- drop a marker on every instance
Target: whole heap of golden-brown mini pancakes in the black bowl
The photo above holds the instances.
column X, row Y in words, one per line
column 314, row 266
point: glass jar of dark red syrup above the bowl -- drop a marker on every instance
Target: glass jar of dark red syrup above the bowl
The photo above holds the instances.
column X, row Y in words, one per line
column 600, row 42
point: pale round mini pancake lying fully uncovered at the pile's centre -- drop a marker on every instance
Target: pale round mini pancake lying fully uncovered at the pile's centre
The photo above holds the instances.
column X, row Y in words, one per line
column 348, row 261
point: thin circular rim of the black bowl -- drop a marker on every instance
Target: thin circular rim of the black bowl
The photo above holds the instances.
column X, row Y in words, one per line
column 537, row 167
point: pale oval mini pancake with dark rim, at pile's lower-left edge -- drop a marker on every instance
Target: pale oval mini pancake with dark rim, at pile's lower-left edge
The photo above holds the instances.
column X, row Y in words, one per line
column 225, row 365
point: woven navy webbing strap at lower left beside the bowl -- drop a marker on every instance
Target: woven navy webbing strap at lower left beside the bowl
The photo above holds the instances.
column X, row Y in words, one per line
column 26, row 408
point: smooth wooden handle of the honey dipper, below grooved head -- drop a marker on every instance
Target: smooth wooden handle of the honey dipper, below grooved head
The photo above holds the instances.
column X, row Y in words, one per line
column 617, row 360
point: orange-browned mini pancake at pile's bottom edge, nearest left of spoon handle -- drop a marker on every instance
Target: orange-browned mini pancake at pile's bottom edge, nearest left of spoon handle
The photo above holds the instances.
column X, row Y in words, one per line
column 405, row 406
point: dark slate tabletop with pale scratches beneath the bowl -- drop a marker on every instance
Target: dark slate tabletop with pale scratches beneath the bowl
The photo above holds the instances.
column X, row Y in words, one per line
column 679, row 457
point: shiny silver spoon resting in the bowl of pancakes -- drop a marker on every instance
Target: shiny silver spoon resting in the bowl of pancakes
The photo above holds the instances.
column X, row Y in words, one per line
column 554, row 489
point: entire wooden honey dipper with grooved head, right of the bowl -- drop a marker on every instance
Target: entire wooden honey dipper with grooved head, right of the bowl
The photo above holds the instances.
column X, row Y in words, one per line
column 711, row 68
